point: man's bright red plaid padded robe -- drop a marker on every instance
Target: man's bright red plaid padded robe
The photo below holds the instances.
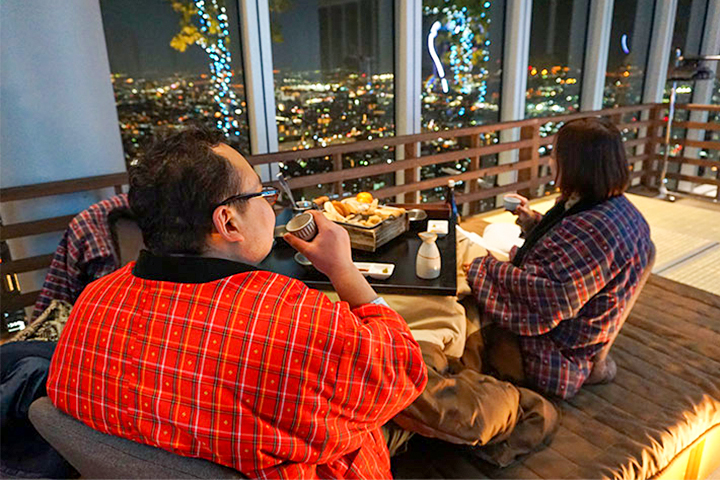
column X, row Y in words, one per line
column 253, row 370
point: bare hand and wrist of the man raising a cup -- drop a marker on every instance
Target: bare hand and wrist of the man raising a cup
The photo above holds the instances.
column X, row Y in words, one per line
column 331, row 254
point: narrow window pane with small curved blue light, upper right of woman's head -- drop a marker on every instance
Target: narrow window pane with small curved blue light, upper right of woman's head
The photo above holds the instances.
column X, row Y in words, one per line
column 628, row 52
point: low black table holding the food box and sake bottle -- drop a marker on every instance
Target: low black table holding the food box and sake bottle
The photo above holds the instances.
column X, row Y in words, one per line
column 400, row 251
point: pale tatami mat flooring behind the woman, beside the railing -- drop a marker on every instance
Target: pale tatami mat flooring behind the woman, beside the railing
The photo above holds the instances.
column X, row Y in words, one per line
column 687, row 238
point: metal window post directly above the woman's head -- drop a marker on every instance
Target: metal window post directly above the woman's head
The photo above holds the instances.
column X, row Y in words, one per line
column 596, row 55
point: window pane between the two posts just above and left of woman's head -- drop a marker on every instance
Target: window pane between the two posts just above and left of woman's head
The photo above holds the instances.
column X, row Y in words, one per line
column 557, row 51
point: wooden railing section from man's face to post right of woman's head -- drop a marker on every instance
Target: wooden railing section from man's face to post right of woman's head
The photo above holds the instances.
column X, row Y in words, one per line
column 474, row 146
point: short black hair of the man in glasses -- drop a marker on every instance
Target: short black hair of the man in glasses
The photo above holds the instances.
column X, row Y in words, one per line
column 174, row 188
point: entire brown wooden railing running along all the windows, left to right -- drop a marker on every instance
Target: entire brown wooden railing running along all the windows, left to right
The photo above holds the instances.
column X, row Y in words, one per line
column 644, row 123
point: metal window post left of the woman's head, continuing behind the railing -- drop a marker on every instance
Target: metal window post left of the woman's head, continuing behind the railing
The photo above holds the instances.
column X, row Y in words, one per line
column 514, row 79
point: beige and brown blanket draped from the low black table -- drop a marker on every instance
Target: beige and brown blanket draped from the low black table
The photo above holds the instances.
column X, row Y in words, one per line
column 460, row 404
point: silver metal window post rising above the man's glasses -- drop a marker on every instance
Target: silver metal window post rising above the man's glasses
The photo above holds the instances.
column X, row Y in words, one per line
column 259, row 83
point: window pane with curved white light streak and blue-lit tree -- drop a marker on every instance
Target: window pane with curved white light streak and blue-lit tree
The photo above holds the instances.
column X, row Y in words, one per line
column 461, row 62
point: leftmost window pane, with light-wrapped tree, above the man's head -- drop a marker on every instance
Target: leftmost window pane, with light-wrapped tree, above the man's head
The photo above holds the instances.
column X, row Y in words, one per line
column 173, row 66
